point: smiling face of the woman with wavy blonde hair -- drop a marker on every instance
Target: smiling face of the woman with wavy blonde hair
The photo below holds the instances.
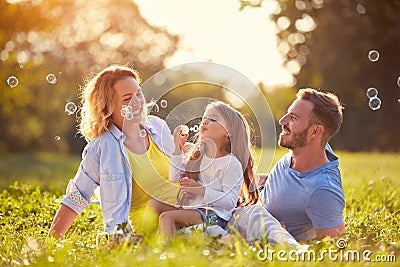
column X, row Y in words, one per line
column 127, row 92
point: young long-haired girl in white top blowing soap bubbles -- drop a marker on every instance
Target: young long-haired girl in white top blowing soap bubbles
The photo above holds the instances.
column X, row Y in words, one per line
column 219, row 171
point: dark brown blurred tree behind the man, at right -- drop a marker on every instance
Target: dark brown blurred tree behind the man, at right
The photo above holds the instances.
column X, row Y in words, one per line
column 326, row 44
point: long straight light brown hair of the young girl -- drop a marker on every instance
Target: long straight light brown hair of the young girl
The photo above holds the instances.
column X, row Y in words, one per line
column 238, row 143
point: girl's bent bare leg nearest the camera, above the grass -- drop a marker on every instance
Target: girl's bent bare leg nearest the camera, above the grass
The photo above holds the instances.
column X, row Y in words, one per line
column 172, row 220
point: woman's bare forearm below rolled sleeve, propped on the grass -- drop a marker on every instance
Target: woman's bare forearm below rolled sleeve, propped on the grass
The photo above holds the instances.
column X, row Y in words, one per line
column 62, row 221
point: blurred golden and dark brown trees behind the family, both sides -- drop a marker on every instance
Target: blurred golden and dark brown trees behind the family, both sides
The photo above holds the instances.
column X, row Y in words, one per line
column 325, row 44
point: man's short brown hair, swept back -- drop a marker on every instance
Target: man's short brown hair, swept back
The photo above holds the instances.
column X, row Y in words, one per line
column 327, row 109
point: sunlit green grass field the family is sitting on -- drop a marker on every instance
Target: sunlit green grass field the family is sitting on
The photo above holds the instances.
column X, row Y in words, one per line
column 370, row 180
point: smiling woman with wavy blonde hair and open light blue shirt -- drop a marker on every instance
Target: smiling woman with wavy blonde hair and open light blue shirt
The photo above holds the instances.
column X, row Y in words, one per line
column 105, row 162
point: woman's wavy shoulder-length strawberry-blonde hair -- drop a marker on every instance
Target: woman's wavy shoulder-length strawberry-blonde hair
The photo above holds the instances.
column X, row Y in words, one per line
column 97, row 100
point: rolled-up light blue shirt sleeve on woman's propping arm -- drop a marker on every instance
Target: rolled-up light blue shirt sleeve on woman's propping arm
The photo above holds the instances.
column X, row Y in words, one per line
column 80, row 189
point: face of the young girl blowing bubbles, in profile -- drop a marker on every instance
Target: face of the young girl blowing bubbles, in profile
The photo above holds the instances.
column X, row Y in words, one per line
column 213, row 126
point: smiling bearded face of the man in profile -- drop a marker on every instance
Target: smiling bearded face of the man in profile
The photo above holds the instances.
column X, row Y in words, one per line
column 295, row 125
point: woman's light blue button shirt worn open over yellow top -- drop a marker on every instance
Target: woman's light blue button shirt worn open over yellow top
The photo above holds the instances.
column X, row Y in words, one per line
column 105, row 164
